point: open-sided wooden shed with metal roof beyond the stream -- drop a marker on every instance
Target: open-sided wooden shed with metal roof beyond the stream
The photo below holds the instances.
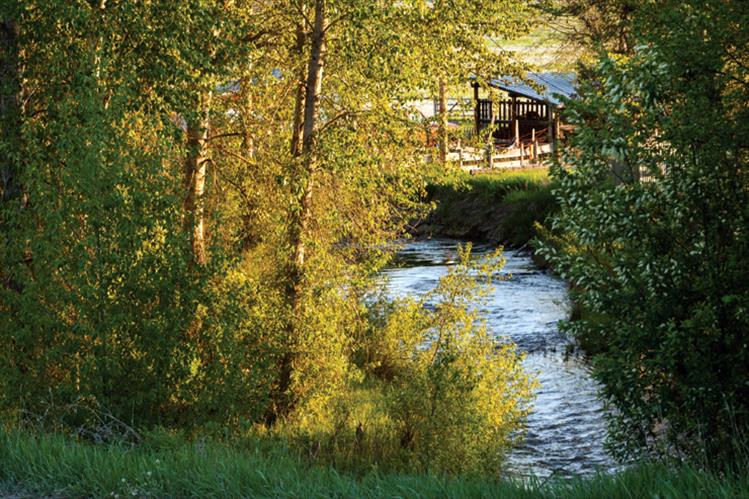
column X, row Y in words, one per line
column 529, row 112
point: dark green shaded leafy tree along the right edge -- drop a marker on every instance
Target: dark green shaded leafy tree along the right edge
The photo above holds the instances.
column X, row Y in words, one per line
column 660, row 266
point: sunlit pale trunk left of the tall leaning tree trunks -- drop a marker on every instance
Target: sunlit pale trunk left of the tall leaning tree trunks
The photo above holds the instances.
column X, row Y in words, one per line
column 194, row 179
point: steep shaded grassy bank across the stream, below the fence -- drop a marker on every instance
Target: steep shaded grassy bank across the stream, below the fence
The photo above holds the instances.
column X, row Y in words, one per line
column 500, row 207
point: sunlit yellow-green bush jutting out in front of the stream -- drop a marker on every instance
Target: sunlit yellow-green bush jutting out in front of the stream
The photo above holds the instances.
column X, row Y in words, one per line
column 461, row 401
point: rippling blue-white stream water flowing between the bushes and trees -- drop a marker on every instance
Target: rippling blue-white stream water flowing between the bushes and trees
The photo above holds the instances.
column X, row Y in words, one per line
column 566, row 429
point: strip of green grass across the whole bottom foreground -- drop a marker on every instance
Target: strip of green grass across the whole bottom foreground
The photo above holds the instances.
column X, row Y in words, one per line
column 34, row 465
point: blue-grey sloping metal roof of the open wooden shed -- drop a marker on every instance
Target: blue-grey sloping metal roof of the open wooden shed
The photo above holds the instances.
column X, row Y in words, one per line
column 552, row 86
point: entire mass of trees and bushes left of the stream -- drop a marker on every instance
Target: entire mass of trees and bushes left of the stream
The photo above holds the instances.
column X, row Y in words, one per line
column 195, row 199
